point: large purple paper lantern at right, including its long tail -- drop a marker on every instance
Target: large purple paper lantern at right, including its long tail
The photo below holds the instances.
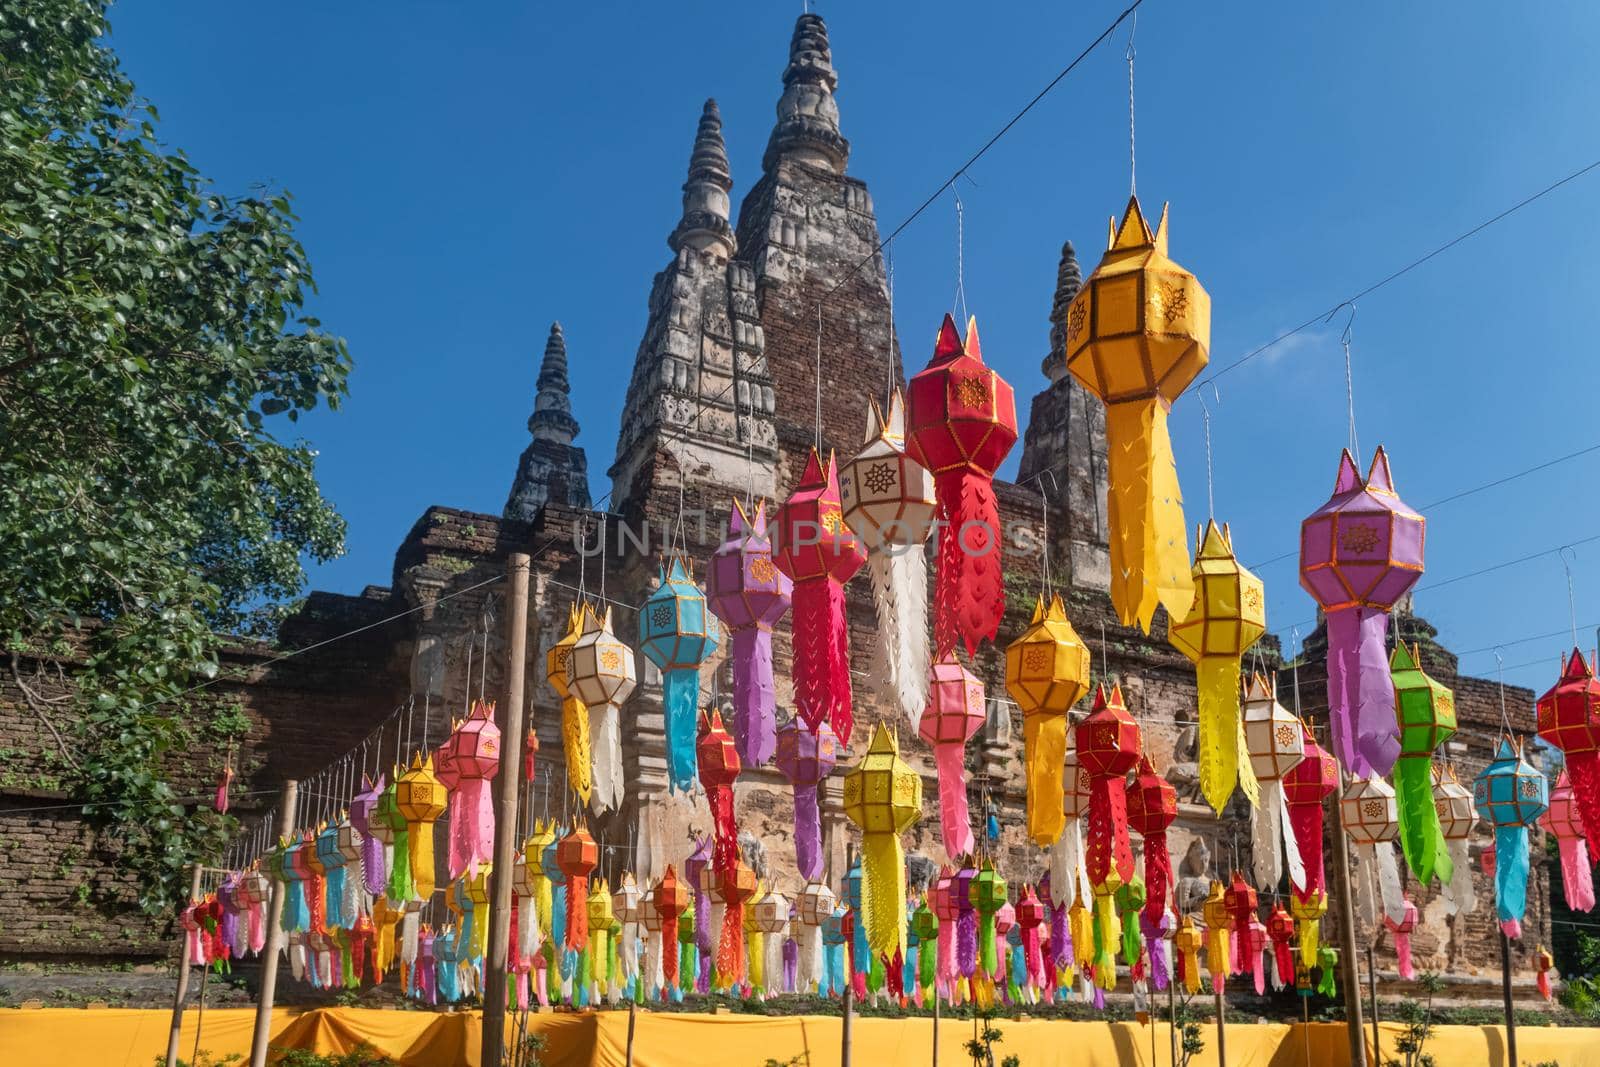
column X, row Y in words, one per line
column 1361, row 553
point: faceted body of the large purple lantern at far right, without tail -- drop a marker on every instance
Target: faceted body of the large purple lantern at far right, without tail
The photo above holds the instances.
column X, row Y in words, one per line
column 1364, row 548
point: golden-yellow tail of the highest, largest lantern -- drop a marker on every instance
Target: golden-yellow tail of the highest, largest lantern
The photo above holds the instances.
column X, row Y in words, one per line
column 1150, row 543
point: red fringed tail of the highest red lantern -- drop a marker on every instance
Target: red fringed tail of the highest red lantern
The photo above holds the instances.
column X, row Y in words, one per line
column 970, row 594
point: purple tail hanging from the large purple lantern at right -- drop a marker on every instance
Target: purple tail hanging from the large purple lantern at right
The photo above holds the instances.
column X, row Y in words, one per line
column 1361, row 692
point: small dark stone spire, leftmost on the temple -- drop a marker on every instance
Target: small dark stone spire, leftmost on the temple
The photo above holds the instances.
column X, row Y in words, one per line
column 553, row 470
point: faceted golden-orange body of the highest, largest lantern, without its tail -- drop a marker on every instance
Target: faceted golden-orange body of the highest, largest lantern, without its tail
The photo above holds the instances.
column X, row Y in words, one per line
column 1142, row 326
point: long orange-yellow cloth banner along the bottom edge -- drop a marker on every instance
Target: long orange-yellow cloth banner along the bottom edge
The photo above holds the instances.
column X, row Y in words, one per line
column 106, row 1037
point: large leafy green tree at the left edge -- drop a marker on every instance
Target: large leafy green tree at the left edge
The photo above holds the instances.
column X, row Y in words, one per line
column 153, row 350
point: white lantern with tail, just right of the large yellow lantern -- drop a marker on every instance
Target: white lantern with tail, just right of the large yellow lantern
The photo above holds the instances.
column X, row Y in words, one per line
column 1273, row 737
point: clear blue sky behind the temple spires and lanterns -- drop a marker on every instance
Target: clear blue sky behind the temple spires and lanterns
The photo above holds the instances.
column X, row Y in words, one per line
column 466, row 174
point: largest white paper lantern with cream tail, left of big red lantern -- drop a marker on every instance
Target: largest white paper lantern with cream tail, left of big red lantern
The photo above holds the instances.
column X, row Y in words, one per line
column 889, row 500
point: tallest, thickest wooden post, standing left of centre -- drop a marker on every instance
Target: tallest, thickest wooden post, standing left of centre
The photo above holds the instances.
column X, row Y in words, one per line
column 511, row 716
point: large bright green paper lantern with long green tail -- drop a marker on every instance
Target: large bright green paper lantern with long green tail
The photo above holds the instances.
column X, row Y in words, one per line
column 1426, row 713
